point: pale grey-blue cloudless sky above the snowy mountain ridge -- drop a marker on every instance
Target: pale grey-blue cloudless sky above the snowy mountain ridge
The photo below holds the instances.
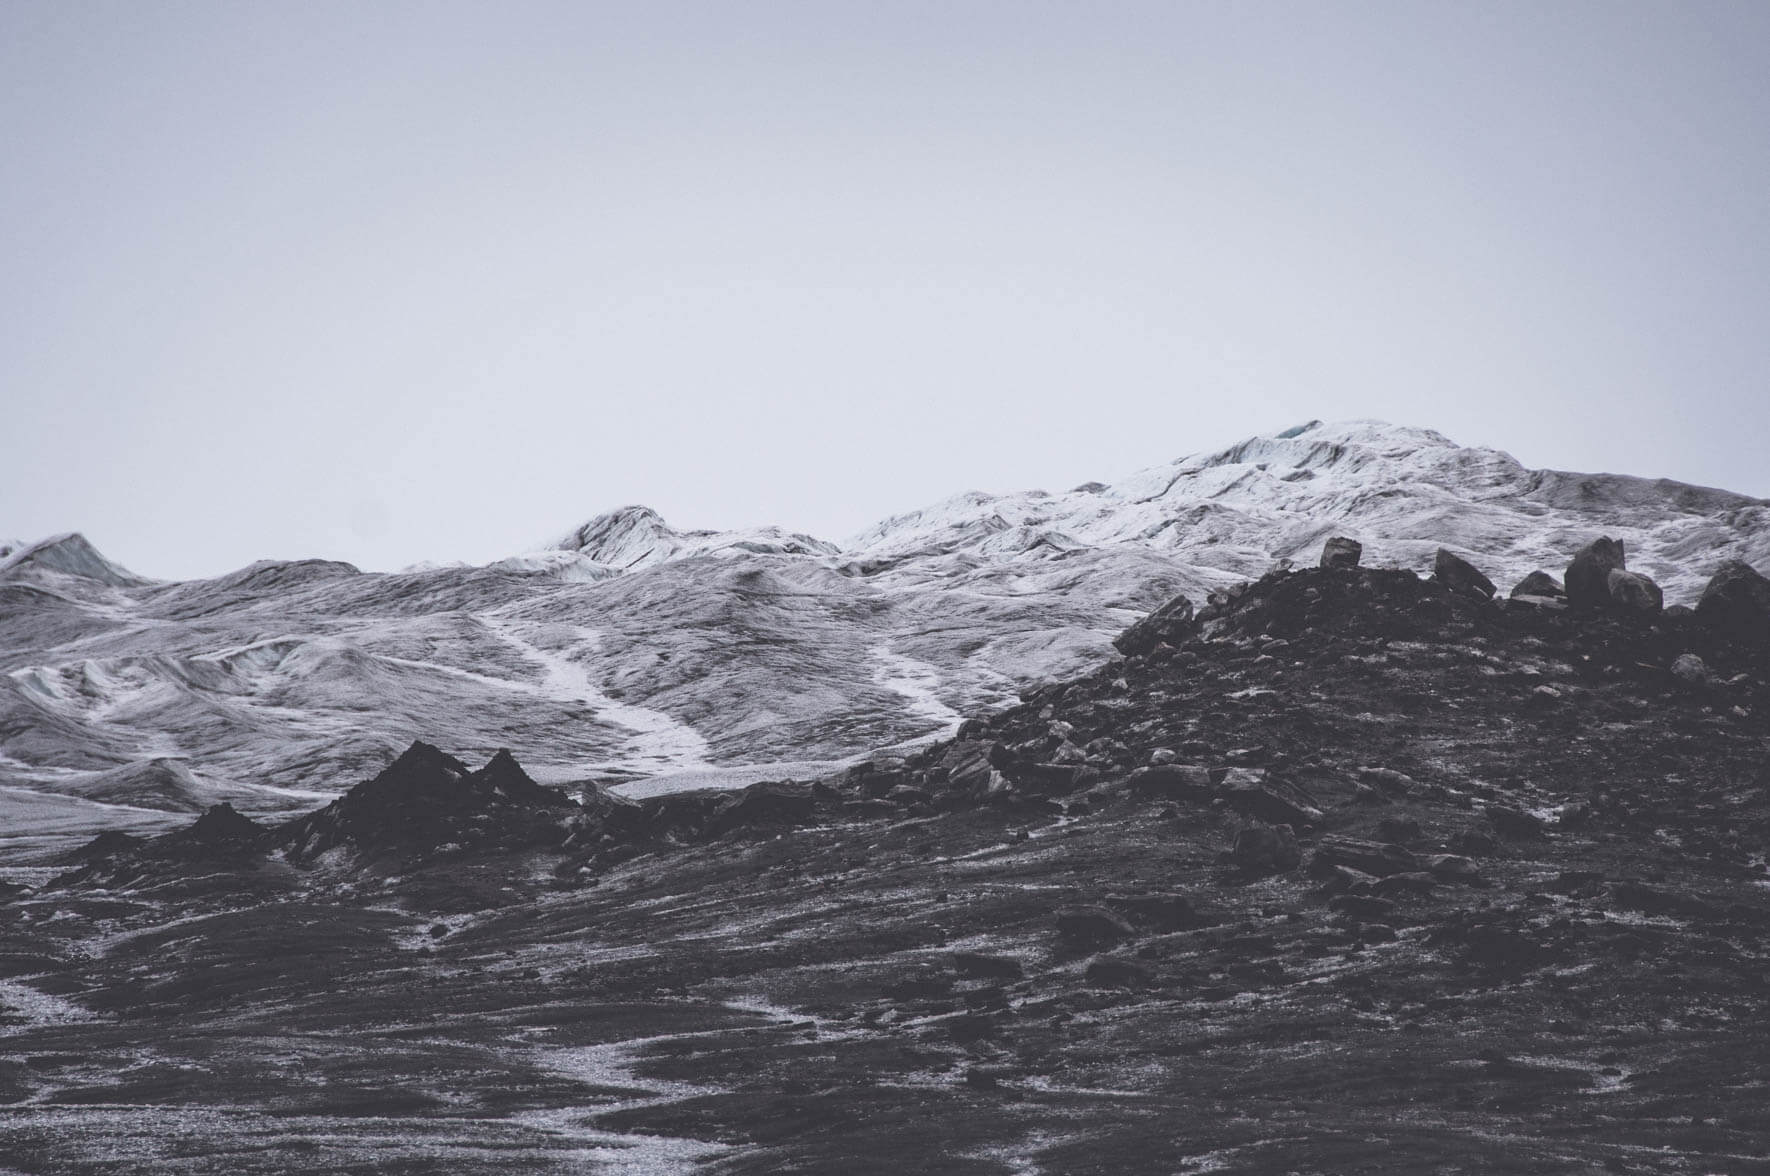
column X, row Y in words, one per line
column 442, row 281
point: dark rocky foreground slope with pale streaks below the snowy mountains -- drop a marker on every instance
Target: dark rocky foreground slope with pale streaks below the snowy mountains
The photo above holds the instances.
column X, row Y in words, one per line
column 1351, row 874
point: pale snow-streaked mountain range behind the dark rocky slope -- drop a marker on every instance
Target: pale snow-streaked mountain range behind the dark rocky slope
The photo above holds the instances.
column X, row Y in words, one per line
column 631, row 649
